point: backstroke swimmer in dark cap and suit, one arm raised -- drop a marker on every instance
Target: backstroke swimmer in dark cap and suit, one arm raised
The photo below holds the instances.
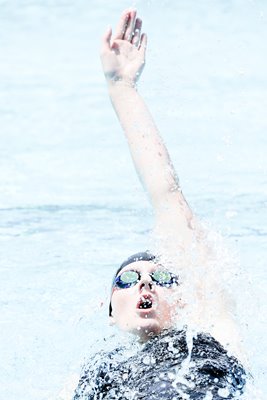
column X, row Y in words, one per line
column 170, row 299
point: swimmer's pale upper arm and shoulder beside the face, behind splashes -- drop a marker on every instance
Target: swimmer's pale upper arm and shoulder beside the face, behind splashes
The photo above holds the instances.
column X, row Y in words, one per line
column 184, row 242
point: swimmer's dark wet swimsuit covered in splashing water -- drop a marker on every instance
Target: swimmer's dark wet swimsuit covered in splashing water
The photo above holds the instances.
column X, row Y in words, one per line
column 164, row 368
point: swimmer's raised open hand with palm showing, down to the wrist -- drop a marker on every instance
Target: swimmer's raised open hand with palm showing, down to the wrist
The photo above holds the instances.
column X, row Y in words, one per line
column 123, row 58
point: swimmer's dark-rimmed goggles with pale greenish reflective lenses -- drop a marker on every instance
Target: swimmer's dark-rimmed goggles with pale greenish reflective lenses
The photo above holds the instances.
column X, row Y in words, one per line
column 130, row 278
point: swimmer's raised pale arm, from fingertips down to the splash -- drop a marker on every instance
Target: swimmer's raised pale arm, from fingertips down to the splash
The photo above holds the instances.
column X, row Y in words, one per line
column 123, row 59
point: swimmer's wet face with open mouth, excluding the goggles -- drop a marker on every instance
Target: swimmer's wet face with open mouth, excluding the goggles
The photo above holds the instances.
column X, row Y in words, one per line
column 128, row 305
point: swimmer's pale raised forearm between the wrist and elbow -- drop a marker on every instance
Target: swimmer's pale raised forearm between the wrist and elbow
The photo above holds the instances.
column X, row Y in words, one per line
column 148, row 151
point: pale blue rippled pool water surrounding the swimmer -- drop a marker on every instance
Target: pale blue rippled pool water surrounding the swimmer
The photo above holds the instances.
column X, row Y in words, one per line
column 71, row 206
